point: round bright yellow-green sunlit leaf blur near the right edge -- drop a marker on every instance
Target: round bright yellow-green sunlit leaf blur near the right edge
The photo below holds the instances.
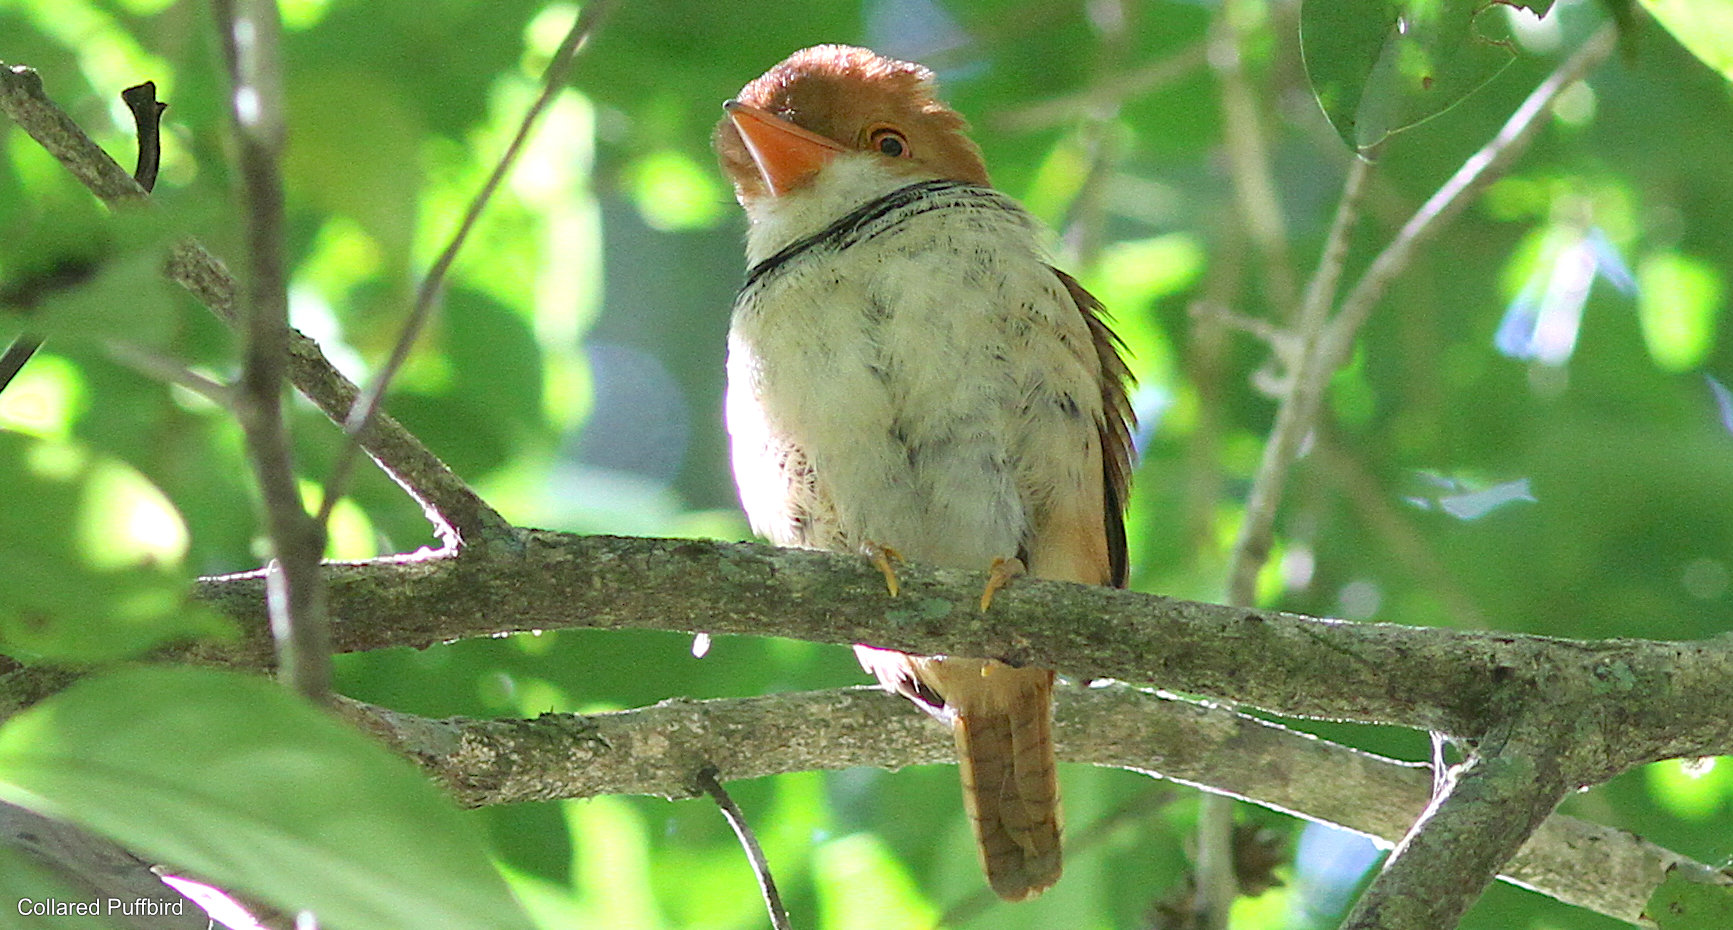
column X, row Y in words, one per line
column 1678, row 302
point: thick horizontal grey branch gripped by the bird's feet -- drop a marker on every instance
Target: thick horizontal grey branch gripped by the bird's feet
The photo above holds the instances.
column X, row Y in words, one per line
column 1665, row 699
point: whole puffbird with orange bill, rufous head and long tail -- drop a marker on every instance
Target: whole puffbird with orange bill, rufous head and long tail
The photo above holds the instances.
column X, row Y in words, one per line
column 911, row 377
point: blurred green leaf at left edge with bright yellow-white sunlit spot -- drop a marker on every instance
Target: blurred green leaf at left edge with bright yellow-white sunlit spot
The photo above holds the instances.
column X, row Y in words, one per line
column 94, row 559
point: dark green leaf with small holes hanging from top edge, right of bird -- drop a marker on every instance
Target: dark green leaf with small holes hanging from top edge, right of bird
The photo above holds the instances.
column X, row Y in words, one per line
column 1382, row 67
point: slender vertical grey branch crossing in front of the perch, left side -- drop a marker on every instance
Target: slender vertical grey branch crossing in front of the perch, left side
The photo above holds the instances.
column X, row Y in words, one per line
column 295, row 586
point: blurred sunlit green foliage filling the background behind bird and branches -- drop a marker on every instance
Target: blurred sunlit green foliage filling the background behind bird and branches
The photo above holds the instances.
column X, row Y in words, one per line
column 1529, row 437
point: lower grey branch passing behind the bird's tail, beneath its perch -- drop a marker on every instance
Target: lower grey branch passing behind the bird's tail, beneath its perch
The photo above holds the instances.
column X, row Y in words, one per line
column 659, row 751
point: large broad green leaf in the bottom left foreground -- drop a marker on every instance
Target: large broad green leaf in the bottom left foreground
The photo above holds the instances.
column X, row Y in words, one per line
column 237, row 780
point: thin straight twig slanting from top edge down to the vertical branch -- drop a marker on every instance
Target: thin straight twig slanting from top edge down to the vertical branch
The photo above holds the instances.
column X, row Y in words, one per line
column 367, row 408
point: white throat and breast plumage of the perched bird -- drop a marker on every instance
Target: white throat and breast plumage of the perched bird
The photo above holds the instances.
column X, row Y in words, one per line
column 918, row 371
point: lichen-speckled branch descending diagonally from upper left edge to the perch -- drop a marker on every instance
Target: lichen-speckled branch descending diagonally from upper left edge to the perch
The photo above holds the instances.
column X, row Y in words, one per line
column 457, row 512
